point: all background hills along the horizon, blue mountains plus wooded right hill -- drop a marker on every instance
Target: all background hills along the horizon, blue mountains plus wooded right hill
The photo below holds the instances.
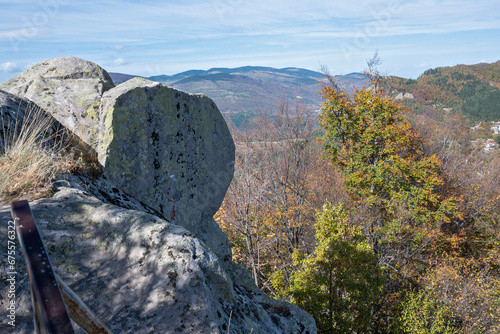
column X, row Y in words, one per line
column 241, row 93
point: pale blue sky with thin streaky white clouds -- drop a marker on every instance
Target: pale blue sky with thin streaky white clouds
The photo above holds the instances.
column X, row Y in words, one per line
column 151, row 37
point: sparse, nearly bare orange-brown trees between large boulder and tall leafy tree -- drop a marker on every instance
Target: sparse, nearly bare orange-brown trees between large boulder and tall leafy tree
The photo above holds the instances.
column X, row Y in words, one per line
column 280, row 181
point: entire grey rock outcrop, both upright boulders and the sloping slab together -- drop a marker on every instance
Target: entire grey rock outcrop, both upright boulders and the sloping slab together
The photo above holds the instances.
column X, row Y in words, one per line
column 167, row 159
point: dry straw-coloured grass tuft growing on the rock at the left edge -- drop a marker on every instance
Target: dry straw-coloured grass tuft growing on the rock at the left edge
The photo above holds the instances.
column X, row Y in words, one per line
column 31, row 156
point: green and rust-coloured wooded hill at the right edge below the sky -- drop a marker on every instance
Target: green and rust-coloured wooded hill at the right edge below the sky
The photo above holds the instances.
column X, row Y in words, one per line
column 473, row 90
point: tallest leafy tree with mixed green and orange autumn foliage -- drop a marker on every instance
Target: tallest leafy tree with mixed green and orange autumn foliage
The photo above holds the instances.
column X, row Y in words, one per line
column 383, row 165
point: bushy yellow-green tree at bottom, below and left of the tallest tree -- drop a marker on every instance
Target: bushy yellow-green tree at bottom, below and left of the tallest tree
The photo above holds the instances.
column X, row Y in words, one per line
column 340, row 283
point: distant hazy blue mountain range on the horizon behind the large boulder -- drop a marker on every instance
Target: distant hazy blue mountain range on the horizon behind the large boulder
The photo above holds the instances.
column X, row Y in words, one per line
column 245, row 91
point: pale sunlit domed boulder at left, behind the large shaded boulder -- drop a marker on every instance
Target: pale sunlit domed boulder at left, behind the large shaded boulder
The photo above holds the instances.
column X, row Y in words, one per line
column 67, row 87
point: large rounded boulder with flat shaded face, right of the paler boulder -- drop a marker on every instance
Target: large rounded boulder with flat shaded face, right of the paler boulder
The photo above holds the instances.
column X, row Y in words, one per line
column 171, row 150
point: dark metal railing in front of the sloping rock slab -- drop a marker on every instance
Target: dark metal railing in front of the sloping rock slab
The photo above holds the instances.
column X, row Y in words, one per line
column 53, row 301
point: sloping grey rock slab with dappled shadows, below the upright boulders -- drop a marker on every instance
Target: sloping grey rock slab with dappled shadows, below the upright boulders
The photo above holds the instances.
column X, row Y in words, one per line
column 141, row 274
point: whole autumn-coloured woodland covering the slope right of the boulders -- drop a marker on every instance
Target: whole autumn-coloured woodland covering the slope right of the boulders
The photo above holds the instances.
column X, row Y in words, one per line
column 389, row 223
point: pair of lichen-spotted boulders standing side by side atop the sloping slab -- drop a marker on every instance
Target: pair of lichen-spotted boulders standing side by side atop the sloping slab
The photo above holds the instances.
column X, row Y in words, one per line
column 169, row 149
